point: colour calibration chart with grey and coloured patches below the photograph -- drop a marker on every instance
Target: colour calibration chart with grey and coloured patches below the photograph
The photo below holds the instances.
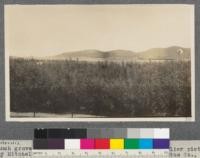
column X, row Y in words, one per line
column 106, row 142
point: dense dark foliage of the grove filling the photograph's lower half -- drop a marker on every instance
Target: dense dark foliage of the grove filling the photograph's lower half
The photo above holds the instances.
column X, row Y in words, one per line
column 101, row 88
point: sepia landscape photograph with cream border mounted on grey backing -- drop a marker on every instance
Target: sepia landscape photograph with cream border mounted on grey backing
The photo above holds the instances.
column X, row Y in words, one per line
column 99, row 62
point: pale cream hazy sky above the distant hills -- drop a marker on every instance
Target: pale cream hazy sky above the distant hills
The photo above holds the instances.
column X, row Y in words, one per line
column 44, row 30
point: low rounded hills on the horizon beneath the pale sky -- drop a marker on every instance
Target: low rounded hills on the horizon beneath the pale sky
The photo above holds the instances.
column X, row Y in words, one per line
column 170, row 53
